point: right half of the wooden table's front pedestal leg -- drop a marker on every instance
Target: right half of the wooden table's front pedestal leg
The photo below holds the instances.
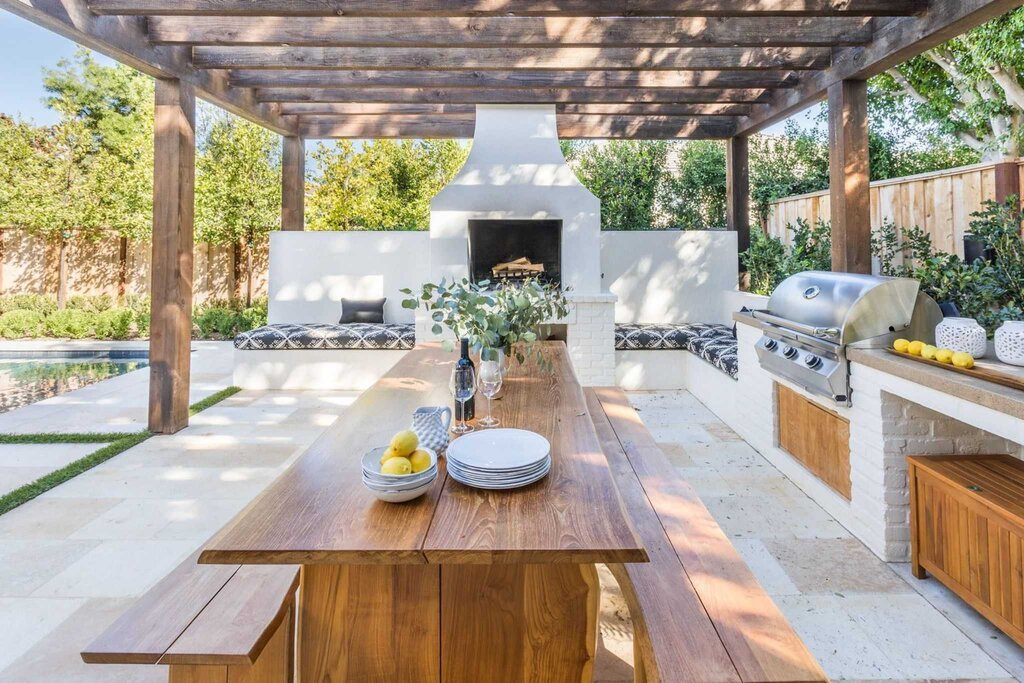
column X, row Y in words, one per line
column 513, row 623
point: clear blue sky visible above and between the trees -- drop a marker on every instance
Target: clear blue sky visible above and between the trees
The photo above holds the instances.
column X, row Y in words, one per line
column 26, row 50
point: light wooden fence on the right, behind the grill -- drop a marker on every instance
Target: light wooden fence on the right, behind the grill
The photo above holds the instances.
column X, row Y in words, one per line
column 940, row 203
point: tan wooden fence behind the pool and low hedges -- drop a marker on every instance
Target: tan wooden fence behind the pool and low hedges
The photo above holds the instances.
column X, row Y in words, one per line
column 115, row 267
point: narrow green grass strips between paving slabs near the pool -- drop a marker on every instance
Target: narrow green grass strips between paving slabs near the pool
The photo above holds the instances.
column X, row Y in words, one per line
column 119, row 443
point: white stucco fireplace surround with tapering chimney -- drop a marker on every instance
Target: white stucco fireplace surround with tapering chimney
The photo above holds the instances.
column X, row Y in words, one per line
column 517, row 172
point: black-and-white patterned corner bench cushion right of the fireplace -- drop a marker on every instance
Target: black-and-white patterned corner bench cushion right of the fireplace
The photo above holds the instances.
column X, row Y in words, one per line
column 714, row 344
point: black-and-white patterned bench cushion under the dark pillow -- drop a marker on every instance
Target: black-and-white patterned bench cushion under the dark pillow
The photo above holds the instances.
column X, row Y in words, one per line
column 319, row 336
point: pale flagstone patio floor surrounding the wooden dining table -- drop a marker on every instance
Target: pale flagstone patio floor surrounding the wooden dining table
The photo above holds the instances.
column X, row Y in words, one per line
column 73, row 560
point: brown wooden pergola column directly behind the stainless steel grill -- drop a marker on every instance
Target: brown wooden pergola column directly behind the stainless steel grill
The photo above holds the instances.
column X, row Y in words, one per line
column 850, row 178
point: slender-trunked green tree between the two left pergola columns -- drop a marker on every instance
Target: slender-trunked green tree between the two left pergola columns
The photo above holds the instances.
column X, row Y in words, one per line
column 238, row 186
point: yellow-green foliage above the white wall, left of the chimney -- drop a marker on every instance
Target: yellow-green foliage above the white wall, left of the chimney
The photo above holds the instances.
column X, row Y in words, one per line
column 385, row 185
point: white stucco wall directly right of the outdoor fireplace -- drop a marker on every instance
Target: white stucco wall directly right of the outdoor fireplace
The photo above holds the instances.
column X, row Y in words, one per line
column 670, row 276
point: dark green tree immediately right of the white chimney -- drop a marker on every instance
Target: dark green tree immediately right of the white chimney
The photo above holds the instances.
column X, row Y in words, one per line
column 626, row 176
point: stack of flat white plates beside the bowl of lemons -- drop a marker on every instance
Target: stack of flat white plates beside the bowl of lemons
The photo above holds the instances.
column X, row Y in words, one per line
column 499, row 459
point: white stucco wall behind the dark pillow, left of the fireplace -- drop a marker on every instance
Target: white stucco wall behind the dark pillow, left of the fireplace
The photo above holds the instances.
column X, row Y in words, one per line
column 311, row 273
